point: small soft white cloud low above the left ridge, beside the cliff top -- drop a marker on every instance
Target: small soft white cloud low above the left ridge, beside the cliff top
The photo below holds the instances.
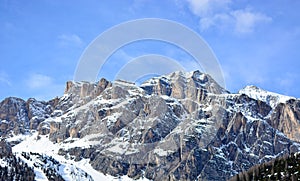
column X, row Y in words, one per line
column 39, row 81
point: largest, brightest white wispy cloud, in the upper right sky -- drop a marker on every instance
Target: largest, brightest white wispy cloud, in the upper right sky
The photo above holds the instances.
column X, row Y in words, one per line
column 220, row 14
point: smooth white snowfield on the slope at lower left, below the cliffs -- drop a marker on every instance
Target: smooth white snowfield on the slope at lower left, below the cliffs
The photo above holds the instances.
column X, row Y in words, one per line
column 70, row 170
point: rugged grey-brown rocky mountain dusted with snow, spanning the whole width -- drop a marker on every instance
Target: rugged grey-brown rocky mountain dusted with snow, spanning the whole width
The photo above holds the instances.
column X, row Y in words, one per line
column 181, row 126
